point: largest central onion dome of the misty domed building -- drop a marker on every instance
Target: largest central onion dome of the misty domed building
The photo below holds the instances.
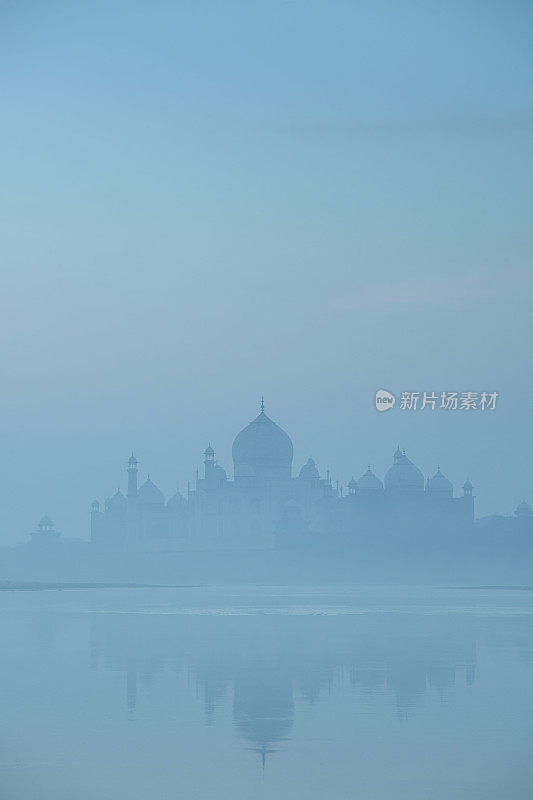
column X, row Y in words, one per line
column 262, row 452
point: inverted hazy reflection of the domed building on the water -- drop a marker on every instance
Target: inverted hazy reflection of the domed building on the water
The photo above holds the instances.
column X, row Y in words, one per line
column 269, row 666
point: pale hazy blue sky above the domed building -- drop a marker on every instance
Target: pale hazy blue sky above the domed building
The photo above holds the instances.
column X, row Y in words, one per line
column 206, row 202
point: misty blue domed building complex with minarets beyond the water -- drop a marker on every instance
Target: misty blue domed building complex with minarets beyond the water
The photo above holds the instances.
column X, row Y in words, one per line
column 265, row 505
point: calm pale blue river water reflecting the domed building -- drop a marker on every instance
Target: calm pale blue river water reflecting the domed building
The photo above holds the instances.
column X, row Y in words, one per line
column 286, row 692
